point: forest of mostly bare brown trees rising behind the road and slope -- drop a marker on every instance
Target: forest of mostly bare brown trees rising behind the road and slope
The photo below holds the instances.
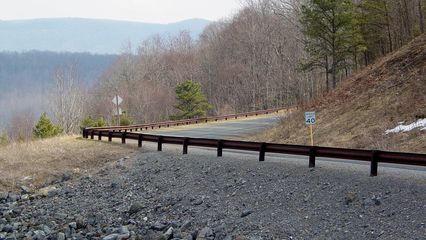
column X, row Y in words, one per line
column 272, row 53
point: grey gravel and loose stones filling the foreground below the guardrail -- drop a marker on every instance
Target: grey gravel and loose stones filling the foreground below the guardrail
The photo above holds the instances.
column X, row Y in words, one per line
column 169, row 196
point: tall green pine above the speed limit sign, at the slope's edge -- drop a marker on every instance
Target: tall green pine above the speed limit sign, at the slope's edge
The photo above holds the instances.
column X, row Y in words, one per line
column 332, row 34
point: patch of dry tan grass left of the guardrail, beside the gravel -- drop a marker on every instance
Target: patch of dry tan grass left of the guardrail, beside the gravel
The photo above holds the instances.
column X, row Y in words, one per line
column 41, row 163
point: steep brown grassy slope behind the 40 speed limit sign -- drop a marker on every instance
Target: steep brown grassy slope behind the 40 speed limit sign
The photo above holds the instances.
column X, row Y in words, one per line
column 358, row 113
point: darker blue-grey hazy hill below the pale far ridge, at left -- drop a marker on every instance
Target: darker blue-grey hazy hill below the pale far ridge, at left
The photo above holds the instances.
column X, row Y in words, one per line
column 25, row 78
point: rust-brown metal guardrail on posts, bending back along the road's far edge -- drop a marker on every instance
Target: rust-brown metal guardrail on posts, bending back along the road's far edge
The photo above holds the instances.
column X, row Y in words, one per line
column 373, row 156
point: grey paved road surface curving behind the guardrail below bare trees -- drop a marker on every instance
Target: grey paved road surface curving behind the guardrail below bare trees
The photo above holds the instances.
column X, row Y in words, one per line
column 232, row 129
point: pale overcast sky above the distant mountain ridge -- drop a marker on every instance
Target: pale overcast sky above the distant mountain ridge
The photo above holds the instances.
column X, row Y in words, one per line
column 154, row 11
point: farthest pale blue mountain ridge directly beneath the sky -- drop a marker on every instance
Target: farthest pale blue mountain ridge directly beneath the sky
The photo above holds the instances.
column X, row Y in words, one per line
column 85, row 35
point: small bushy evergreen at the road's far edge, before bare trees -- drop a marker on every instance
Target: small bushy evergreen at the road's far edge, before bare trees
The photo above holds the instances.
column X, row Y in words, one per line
column 191, row 101
